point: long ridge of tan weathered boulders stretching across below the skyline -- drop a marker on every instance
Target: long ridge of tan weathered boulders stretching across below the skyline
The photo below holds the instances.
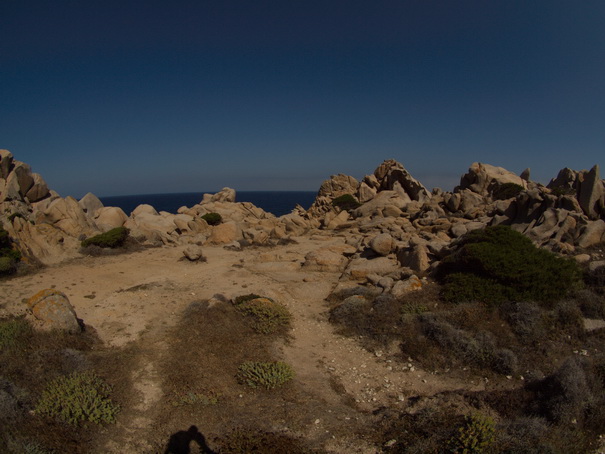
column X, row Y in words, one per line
column 398, row 224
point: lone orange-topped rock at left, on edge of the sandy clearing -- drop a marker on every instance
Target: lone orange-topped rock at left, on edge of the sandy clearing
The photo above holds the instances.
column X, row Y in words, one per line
column 53, row 309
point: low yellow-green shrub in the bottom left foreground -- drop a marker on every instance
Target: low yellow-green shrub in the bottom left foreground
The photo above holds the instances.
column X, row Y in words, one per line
column 78, row 397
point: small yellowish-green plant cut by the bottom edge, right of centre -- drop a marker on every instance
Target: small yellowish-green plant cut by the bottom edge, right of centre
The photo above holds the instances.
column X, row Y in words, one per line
column 476, row 436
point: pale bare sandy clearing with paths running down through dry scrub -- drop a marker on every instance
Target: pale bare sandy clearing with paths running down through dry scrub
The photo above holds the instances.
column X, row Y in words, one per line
column 135, row 296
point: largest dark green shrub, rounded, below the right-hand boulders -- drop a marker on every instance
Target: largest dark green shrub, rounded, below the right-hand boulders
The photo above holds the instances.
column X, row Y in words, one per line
column 497, row 263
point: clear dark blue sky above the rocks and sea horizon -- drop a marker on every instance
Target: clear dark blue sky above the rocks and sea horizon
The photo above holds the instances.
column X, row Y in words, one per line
column 129, row 97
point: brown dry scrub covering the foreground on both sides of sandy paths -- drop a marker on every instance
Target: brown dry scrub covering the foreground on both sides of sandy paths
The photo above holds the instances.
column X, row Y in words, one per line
column 544, row 377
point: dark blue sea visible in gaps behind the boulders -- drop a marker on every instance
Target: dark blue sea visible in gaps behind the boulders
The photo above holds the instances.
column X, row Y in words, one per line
column 275, row 202
